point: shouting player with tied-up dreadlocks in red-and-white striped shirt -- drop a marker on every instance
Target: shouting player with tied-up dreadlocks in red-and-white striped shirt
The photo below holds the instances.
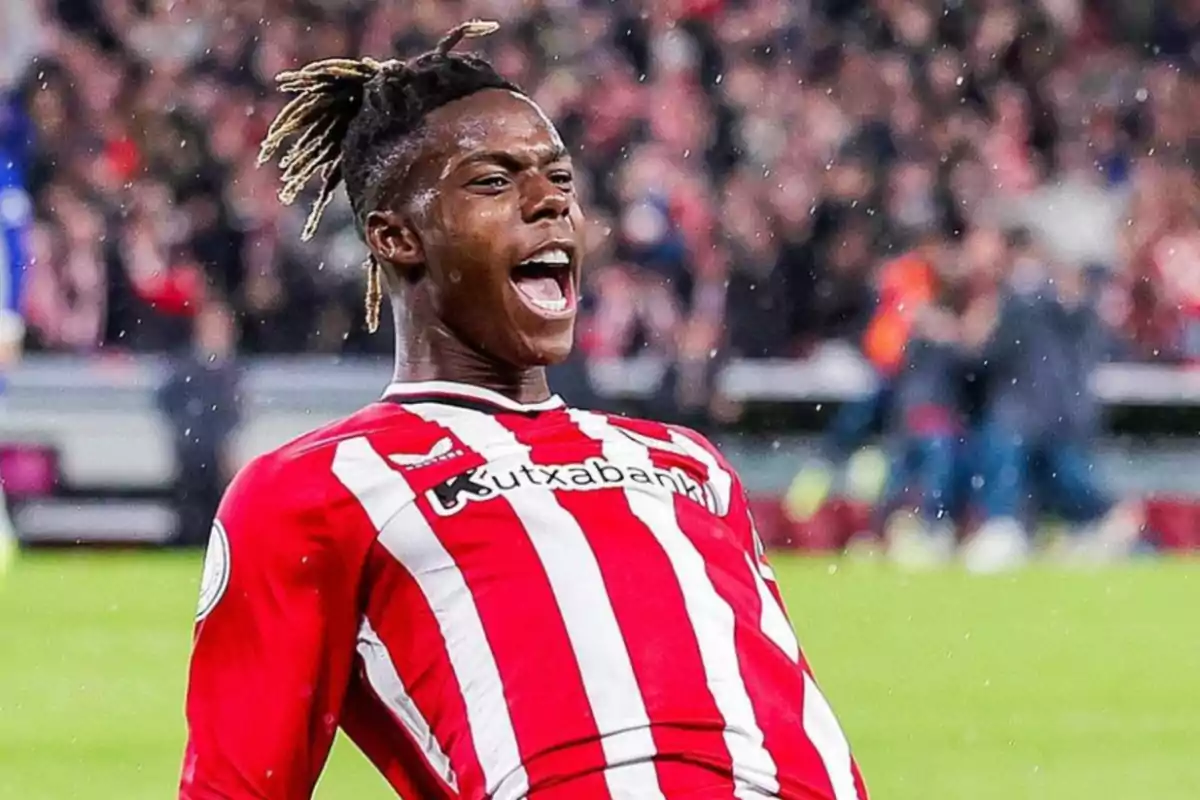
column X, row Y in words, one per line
column 495, row 596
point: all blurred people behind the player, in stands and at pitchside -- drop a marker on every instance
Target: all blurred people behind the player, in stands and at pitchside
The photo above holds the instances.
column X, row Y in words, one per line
column 986, row 197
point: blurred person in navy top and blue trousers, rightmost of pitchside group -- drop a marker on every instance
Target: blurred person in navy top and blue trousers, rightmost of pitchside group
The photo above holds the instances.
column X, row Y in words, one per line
column 1035, row 446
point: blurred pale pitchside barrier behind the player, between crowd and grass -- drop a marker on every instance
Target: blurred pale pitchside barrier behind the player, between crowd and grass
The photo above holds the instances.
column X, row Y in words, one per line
column 94, row 425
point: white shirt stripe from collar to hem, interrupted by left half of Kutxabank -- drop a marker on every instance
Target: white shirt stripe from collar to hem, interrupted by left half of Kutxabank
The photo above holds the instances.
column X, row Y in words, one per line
column 584, row 603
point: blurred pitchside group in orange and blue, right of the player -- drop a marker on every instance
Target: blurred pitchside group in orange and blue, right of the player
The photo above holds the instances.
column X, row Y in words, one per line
column 983, row 354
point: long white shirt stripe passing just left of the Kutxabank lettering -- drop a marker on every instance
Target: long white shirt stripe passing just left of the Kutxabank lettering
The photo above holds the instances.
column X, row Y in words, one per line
column 406, row 534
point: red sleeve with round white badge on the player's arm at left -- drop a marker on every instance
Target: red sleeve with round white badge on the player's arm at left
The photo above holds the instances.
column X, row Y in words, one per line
column 274, row 642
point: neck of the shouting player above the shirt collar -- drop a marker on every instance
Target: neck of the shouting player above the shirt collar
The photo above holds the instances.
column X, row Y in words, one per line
column 429, row 351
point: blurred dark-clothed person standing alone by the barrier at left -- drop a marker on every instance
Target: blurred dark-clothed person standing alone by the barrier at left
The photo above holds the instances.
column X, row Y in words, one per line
column 201, row 400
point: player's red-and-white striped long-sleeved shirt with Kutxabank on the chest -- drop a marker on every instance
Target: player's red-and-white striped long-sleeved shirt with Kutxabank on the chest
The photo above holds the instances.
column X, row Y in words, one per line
column 502, row 601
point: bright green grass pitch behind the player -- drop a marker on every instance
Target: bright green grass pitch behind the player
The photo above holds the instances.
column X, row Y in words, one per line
column 1047, row 685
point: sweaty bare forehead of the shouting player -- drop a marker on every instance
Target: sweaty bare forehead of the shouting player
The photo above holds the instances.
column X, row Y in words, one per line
column 490, row 121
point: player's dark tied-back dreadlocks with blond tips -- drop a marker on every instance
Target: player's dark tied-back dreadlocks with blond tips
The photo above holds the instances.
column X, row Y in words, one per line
column 350, row 115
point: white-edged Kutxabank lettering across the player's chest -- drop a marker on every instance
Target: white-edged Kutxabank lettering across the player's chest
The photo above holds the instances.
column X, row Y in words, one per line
column 488, row 483
